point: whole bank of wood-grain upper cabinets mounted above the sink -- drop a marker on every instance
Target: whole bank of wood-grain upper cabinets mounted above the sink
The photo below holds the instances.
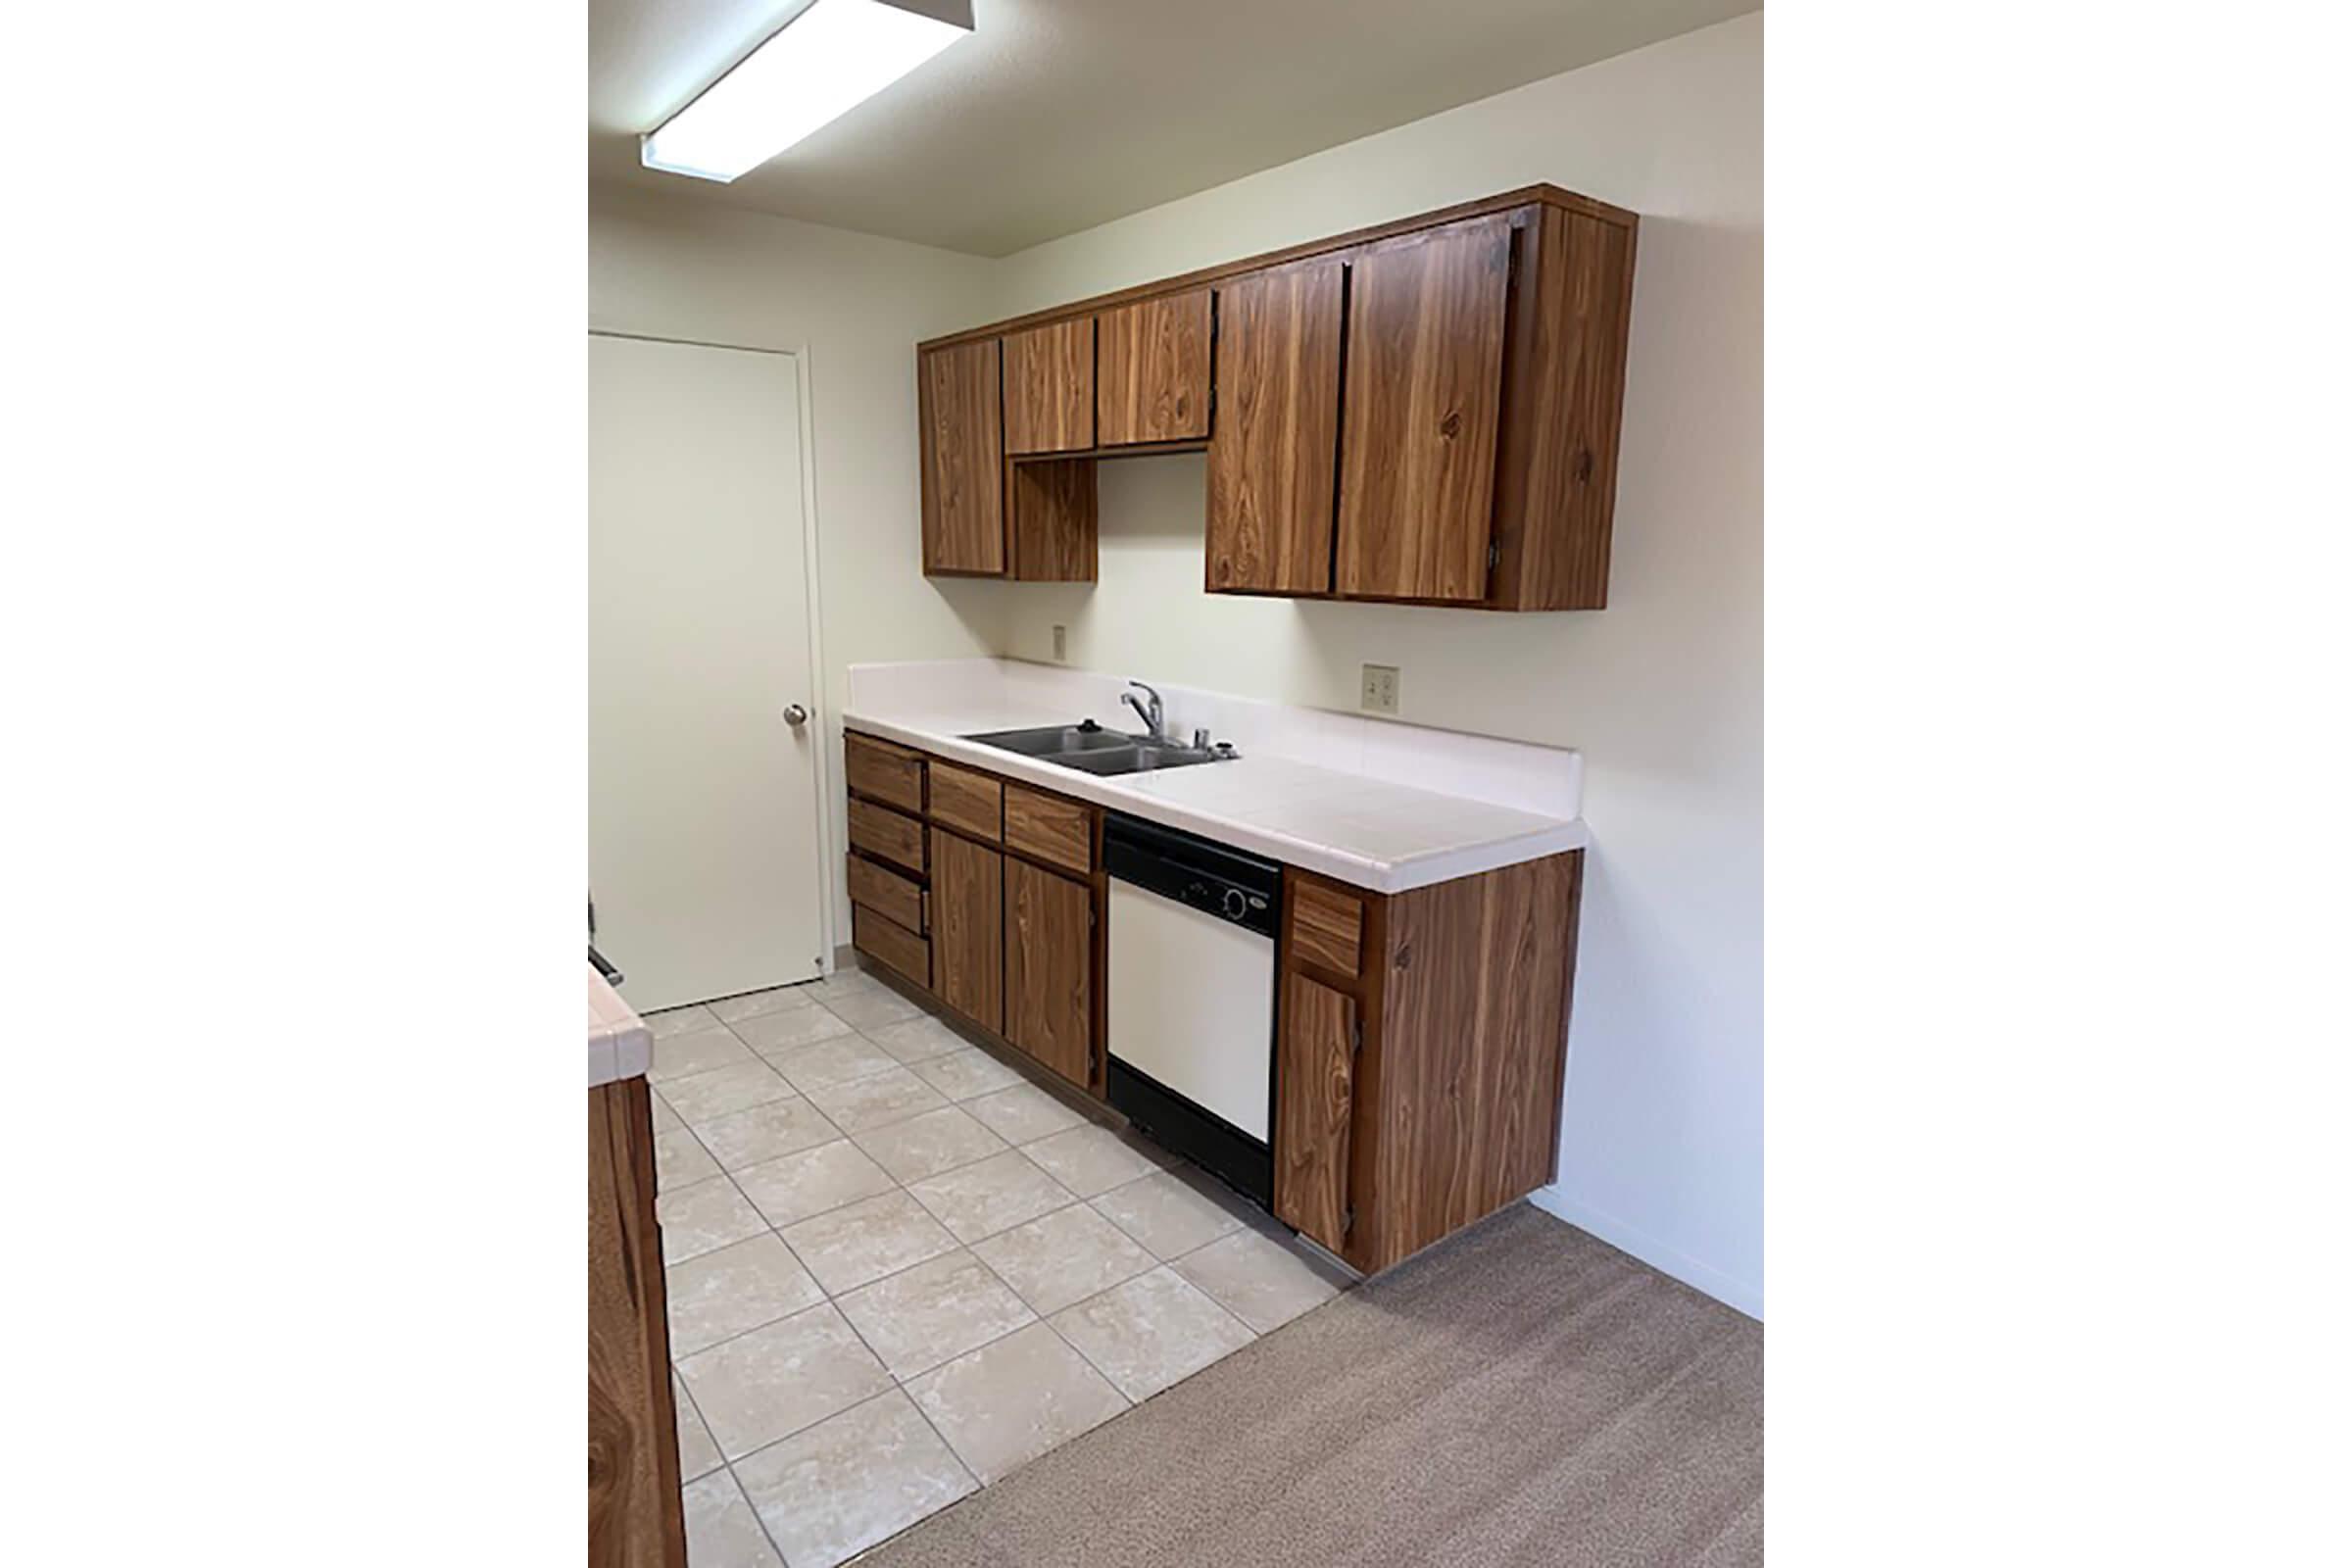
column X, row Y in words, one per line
column 1469, row 460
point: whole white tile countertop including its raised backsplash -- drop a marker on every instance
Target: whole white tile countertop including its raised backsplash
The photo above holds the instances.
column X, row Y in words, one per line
column 1471, row 805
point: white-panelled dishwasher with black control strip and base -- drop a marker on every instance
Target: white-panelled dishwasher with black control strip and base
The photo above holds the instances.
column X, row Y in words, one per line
column 1191, row 998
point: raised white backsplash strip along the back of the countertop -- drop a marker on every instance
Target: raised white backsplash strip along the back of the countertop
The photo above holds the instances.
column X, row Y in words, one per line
column 1518, row 775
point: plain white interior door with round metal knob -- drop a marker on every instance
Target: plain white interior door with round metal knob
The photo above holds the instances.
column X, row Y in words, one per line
column 704, row 833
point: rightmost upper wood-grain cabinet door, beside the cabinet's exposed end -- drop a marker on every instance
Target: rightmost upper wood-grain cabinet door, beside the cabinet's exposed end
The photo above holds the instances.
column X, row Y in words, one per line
column 1422, row 413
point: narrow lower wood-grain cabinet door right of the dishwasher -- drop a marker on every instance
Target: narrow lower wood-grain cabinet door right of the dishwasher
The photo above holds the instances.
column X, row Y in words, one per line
column 1314, row 1111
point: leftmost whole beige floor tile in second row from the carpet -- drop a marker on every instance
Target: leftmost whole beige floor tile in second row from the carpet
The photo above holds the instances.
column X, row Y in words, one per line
column 780, row 1379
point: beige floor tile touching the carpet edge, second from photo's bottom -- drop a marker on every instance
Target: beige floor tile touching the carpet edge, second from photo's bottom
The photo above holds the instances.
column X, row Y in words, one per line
column 1008, row 1402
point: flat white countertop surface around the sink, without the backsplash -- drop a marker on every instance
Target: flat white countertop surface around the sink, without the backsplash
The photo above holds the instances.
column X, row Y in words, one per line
column 1356, row 829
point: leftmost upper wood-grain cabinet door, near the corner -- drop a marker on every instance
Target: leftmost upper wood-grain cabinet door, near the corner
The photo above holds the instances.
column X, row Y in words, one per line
column 963, row 460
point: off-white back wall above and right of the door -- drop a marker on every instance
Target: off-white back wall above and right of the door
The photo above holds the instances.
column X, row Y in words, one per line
column 860, row 304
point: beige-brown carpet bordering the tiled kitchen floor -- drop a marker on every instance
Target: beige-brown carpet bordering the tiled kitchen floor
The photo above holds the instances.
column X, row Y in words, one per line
column 1516, row 1395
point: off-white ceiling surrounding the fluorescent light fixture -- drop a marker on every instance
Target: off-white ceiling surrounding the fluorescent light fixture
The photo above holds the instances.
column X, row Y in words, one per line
column 1064, row 114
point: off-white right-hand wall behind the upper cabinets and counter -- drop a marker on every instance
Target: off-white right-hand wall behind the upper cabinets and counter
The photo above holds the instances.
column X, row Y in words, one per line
column 1664, row 1141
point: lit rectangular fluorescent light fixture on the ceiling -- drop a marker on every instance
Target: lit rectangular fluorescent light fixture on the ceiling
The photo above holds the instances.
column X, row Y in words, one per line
column 822, row 65
